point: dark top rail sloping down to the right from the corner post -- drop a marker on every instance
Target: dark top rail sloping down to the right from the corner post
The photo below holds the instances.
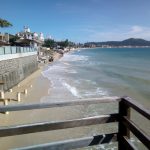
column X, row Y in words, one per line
column 138, row 107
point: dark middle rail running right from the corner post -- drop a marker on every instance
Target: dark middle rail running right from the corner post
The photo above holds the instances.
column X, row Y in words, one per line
column 139, row 133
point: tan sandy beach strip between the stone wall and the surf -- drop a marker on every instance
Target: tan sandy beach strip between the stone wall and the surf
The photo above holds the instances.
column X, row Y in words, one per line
column 34, row 80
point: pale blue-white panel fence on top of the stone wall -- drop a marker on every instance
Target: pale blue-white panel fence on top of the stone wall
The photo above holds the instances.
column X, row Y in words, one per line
column 13, row 50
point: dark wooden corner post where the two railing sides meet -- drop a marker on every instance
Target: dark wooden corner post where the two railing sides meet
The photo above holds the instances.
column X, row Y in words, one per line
column 124, row 110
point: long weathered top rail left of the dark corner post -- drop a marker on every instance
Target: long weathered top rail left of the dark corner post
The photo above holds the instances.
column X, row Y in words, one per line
column 58, row 104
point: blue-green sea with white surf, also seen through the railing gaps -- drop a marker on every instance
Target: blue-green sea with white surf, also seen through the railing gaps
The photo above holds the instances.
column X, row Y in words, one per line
column 101, row 72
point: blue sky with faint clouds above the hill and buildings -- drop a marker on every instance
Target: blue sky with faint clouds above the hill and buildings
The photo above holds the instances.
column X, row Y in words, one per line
column 80, row 20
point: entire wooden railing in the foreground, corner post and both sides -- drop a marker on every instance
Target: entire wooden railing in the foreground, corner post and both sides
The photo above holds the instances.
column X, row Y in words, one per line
column 125, row 125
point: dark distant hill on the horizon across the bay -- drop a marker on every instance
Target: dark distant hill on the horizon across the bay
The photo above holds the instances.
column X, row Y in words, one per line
column 127, row 42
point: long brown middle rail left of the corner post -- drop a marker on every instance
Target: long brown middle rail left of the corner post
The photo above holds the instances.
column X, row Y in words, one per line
column 47, row 126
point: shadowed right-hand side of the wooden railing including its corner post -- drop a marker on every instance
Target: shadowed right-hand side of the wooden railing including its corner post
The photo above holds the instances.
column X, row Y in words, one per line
column 126, row 125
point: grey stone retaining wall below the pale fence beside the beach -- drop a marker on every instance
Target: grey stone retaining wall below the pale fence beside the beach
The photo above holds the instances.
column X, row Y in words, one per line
column 14, row 70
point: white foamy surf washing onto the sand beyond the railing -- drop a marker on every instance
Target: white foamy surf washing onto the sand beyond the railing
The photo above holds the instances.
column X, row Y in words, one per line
column 58, row 75
